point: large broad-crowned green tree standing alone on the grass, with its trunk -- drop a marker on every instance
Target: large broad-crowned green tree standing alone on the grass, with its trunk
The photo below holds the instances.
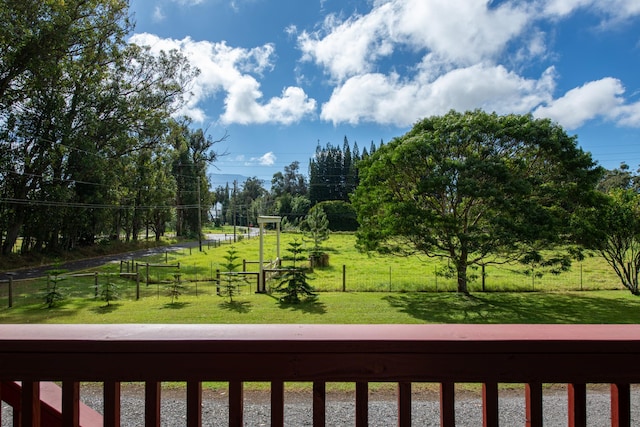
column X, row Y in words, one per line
column 473, row 188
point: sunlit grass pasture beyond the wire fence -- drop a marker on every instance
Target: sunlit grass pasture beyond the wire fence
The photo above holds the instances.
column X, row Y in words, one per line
column 377, row 273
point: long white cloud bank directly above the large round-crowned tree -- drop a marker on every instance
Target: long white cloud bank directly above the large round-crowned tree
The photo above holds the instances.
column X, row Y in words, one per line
column 394, row 101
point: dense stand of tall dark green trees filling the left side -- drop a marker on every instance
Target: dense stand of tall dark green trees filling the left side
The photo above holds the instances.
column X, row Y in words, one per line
column 87, row 146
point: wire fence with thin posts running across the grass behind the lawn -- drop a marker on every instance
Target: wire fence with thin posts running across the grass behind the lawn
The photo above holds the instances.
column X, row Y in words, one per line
column 146, row 280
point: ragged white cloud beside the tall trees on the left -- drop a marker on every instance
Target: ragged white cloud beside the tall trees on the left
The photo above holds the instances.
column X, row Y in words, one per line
column 224, row 69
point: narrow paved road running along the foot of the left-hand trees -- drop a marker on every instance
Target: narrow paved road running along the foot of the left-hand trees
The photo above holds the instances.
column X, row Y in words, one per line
column 84, row 264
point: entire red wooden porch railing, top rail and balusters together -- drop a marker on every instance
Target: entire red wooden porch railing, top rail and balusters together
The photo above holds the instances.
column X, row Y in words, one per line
column 403, row 354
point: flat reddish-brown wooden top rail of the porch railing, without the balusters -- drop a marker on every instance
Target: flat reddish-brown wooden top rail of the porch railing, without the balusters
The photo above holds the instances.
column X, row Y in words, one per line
column 413, row 353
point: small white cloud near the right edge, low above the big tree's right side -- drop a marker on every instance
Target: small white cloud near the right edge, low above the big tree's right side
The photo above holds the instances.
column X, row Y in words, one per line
column 601, row 98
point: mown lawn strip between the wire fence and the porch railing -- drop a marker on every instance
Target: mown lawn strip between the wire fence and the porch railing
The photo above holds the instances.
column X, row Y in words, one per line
column 337, row 307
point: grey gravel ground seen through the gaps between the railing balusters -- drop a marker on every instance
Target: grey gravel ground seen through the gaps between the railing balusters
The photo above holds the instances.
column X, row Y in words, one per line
column 340, row 410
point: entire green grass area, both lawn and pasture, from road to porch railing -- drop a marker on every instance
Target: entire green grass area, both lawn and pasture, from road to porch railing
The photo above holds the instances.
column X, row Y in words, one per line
column 380, row 289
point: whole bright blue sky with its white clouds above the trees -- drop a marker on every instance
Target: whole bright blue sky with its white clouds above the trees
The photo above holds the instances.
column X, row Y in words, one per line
column 282, row 75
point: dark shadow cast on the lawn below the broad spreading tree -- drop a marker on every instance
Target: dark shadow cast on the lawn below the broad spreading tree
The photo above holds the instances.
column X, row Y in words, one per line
column 517, row 307
